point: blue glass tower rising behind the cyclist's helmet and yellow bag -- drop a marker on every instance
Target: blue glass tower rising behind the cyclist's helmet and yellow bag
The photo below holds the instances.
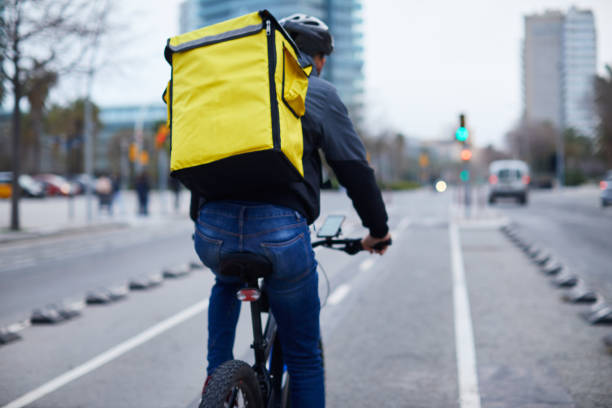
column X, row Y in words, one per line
column 344, row 67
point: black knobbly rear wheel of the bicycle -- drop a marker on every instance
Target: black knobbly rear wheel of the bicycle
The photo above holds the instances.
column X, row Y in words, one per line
column 233, row 384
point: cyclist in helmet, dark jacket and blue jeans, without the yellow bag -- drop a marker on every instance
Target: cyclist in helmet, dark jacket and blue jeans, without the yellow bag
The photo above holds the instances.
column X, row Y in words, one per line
column 275, row 223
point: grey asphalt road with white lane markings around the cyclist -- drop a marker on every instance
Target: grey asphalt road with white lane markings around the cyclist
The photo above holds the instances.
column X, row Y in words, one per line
column 453, row 315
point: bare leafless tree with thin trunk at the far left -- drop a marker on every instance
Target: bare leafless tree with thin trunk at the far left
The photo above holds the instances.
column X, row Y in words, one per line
column 41, row 37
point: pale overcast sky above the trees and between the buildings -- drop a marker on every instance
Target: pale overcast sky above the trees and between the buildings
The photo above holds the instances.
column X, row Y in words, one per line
column 426, row 61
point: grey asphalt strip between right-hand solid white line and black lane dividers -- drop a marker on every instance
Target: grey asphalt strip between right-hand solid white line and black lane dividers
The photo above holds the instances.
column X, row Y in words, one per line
column 532, row 349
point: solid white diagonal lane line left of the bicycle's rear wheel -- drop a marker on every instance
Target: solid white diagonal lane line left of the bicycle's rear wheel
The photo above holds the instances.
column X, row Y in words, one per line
column 108, row 355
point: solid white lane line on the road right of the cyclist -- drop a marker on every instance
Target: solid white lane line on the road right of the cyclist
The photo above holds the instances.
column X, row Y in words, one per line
column 469, row 396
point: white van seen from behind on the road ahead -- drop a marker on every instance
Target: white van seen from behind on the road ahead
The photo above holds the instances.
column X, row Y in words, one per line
column 509, row 178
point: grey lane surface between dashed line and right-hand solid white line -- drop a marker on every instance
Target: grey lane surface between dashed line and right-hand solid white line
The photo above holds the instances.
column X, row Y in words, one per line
column 394, row 345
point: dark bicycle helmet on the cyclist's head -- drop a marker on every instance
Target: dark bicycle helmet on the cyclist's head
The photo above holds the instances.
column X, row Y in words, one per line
column 310, row 34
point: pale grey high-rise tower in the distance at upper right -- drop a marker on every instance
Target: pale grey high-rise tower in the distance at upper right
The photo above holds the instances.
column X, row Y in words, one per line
column 559, row 64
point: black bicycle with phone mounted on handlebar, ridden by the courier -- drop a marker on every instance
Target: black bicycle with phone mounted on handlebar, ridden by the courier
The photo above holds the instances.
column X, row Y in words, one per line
column 266, row 383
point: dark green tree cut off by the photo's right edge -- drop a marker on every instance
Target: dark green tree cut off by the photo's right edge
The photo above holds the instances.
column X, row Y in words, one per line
column 603, row 103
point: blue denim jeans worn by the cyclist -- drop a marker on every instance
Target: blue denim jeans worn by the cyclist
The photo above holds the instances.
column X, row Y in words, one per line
column 282, row 236
